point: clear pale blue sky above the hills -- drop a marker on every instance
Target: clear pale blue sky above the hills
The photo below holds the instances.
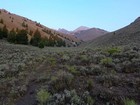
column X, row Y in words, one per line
column 70, row 14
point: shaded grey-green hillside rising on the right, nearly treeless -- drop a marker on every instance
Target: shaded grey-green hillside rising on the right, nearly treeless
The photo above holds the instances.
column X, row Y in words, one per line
column 129, row 35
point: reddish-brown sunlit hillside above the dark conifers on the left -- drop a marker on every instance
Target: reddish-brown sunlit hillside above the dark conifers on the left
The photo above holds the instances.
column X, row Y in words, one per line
column 13, row 21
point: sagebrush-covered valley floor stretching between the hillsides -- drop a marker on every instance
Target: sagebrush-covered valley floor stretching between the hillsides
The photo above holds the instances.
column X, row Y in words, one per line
column 69, row 76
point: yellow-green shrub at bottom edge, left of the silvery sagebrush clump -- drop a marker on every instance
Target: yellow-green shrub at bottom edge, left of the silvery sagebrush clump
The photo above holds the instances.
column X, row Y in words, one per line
column 43, row 96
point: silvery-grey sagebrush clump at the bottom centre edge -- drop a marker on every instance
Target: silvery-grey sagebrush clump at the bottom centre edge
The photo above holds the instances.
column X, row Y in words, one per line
column 71, row 97
